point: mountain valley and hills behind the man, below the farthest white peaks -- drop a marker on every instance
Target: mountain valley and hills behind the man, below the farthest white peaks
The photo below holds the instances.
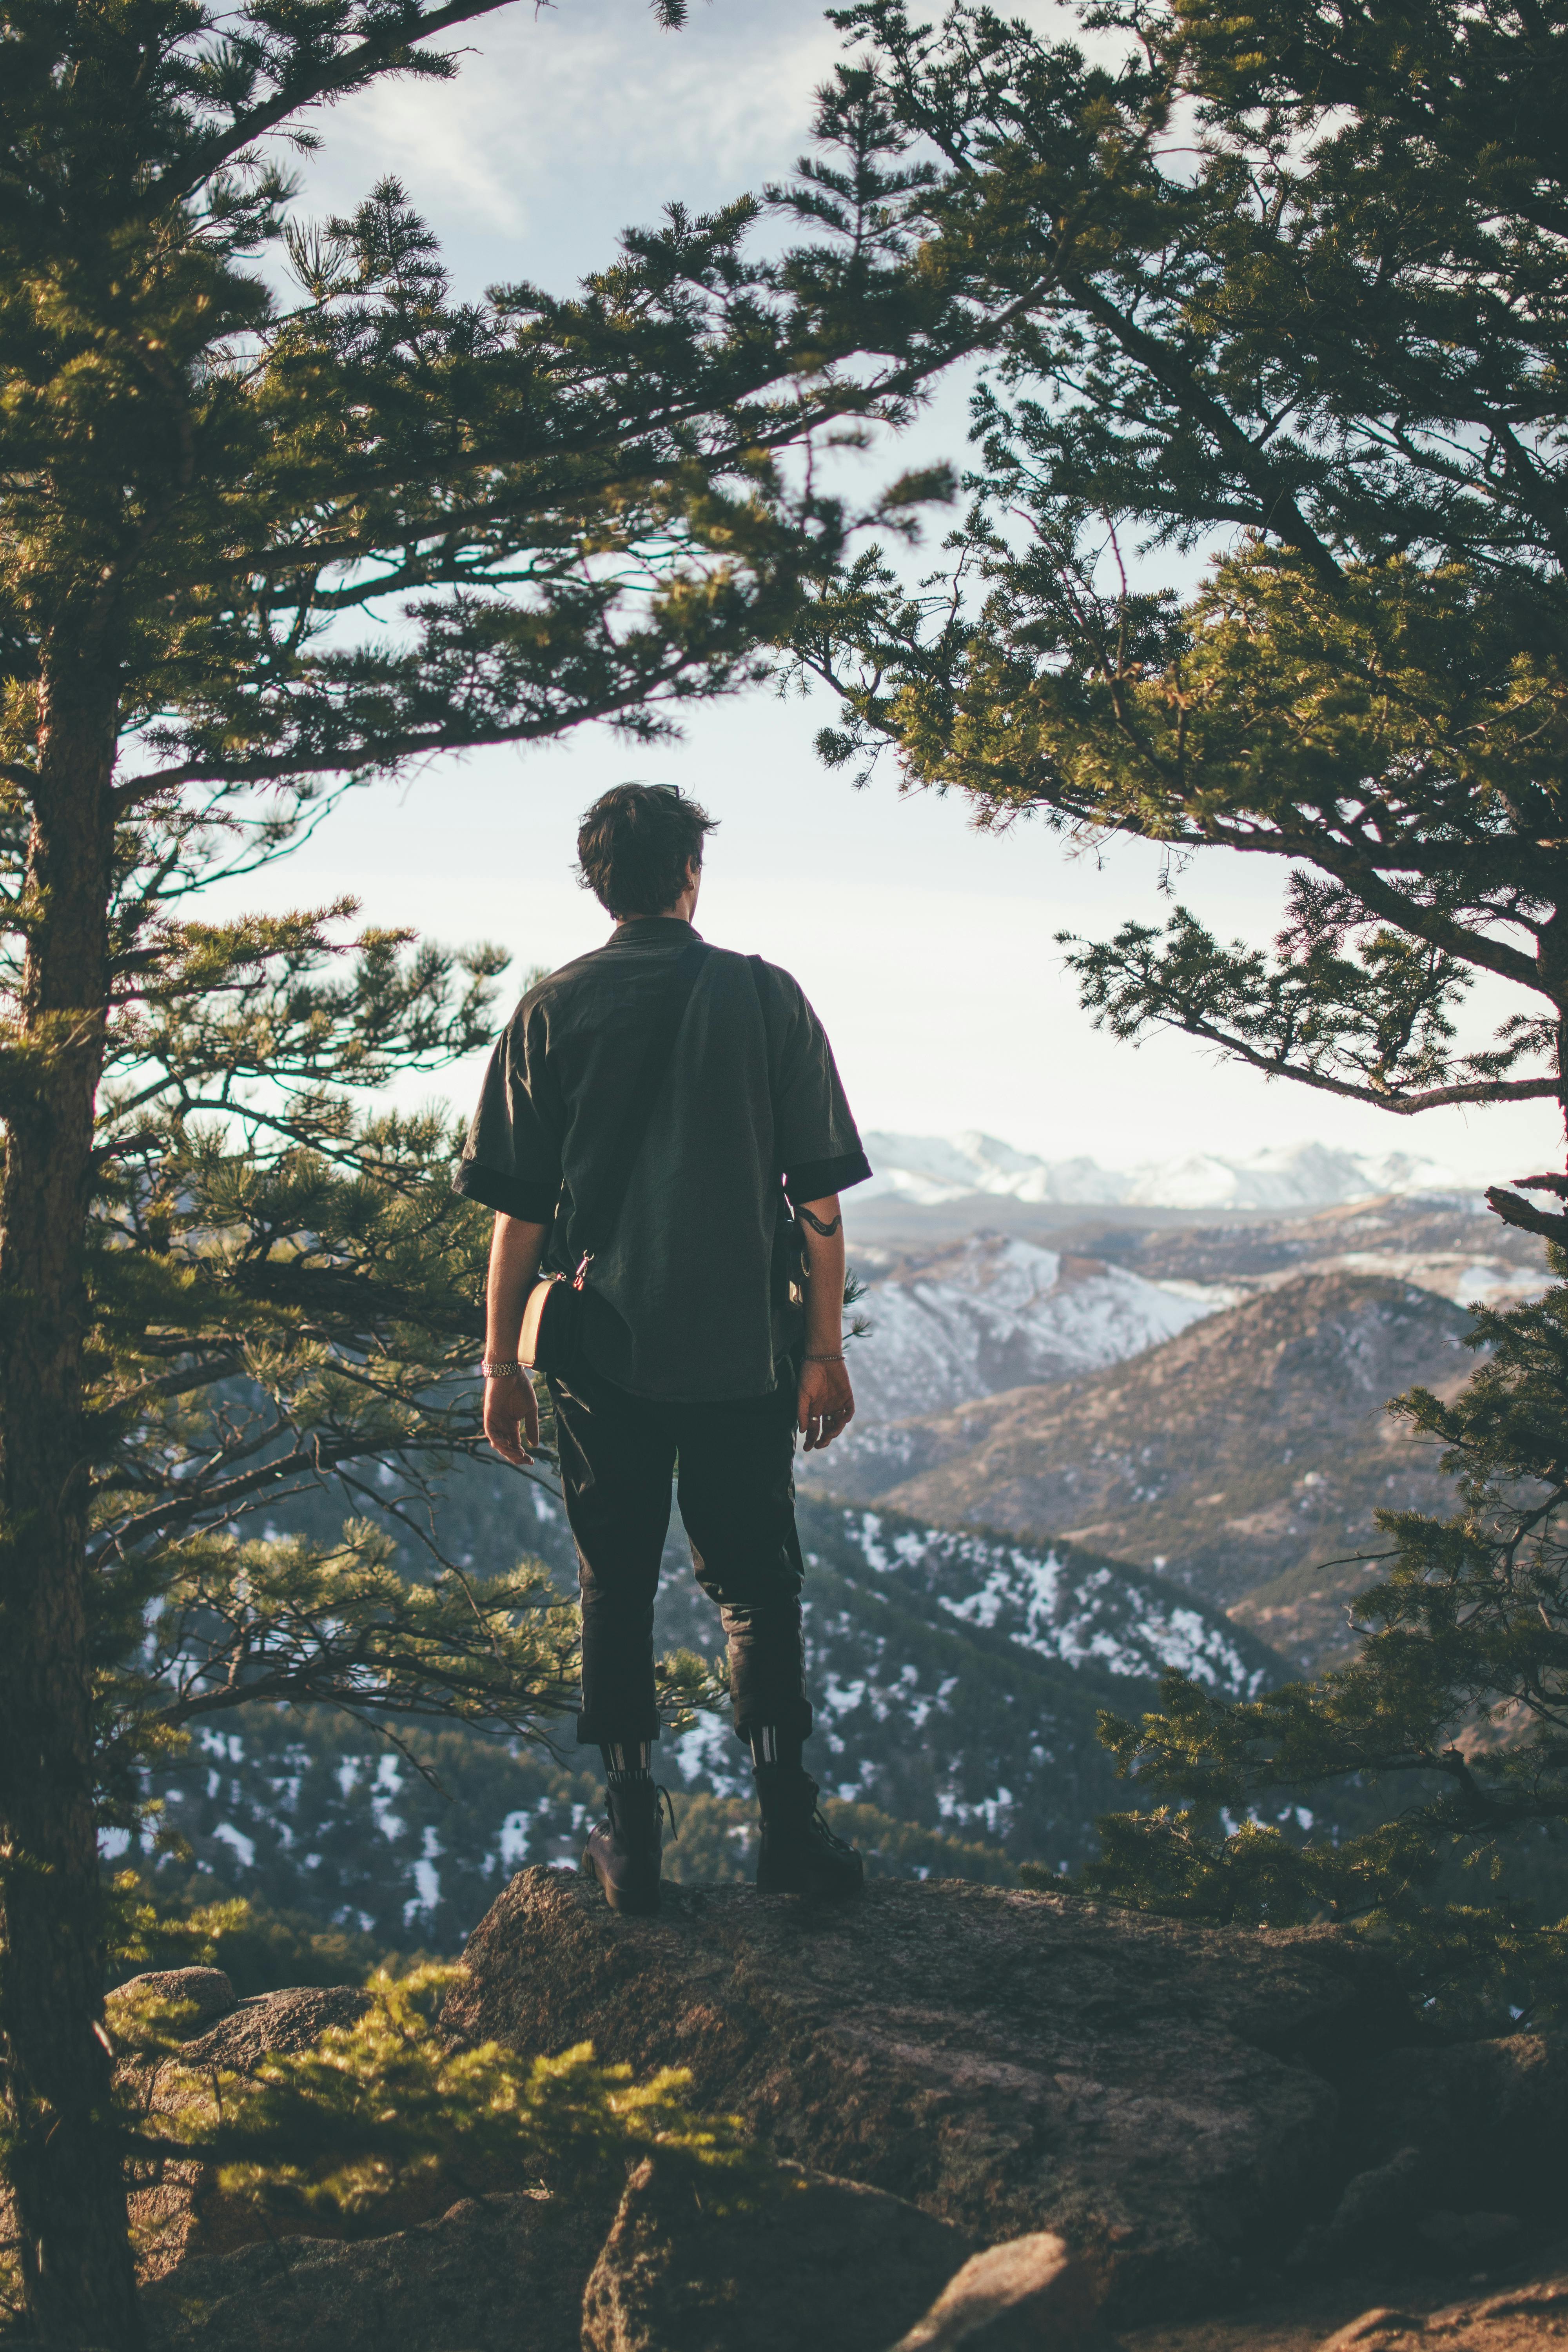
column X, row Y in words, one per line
column 1094, row 1443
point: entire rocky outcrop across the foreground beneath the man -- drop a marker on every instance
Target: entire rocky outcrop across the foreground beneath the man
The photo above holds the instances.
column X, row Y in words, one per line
column 1003, row 2120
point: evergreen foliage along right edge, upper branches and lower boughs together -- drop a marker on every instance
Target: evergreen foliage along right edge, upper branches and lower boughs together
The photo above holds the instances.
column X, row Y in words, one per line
column 1285, row 288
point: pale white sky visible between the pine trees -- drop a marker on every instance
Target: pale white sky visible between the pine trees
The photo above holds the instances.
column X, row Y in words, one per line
column 925, row 944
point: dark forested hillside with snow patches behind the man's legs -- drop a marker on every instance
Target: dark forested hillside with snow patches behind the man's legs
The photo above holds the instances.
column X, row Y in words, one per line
column 958, row 1683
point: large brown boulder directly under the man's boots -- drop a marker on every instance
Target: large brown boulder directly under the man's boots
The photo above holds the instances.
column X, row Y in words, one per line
column 1007, row 2062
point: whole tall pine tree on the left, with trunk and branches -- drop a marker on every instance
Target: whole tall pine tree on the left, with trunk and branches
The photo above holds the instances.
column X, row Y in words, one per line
column 281, row 514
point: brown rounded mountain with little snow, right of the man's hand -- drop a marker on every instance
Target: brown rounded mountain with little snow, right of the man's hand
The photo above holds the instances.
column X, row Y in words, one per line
column 1240, row 1459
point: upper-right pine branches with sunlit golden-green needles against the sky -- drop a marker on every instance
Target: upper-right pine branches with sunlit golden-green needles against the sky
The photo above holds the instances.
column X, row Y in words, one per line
column 1285, row 288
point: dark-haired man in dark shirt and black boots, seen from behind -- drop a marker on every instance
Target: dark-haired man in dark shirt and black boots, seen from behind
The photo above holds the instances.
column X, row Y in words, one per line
column 645, row 1118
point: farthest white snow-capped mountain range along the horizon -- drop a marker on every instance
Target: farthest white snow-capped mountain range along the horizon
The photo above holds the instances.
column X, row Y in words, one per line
column 930, row 1170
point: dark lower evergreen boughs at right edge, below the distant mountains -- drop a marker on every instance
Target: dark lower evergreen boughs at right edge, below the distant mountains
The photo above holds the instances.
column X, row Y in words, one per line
column 1454, row 1711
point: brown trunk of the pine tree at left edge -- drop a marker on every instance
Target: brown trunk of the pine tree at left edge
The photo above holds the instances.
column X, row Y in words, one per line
column 58, row 2073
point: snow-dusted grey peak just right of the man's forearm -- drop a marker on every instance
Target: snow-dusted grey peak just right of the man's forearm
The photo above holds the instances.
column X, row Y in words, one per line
column 993, row 1314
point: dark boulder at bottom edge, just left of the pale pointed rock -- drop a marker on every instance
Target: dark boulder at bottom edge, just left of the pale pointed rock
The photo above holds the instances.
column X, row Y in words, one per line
column 826, row 2266
